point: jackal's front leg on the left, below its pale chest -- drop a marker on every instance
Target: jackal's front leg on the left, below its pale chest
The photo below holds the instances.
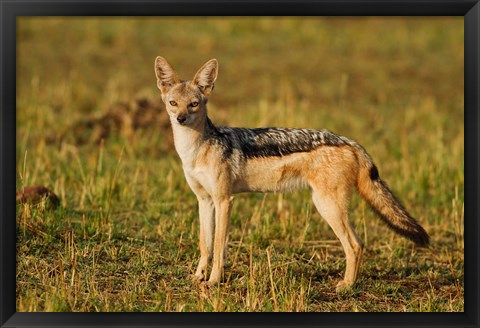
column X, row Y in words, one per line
column 206, row 211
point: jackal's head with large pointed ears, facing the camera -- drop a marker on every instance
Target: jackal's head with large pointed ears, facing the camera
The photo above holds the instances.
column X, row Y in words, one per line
column 185, row 100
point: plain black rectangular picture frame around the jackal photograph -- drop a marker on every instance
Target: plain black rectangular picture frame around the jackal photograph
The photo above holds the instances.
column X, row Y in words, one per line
column 10, row 10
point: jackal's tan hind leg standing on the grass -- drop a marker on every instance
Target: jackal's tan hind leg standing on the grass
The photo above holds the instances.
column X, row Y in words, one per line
column 334, row 211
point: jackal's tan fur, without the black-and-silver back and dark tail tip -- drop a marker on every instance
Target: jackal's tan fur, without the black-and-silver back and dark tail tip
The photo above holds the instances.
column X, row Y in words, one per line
column 331, row 172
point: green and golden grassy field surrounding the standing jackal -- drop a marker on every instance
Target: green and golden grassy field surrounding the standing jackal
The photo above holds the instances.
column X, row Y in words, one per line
column 90, row 127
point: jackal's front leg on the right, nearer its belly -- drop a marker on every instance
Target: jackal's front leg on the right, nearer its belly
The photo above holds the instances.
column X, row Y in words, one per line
column 223, row 208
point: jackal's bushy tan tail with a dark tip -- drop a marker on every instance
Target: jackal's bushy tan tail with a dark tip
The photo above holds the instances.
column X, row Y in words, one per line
column 376, row 192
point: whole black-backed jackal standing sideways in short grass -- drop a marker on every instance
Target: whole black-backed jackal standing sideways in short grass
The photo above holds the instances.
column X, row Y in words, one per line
column 221, row 161
